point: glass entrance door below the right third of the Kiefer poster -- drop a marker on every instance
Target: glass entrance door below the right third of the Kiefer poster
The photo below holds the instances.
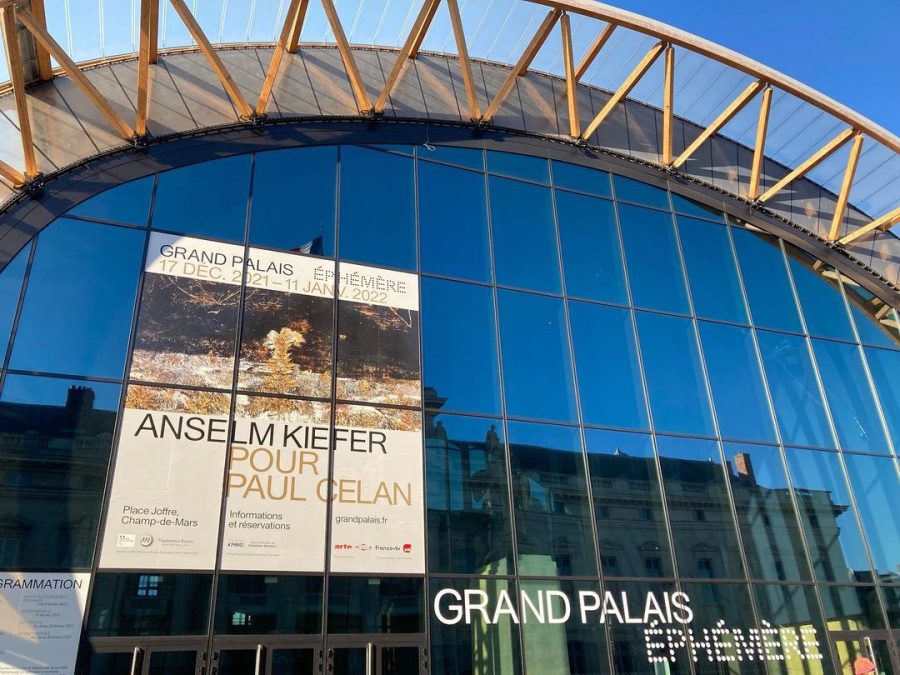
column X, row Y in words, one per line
column 376, row 655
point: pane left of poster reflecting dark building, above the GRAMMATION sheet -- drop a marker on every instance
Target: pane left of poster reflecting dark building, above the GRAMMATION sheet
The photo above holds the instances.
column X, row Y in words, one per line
column 55, row 438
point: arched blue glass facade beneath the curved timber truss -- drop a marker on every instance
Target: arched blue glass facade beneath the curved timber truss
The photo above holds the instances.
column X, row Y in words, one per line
column 628, row 409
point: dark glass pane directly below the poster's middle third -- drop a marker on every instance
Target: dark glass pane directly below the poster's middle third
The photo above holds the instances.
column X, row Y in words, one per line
column 263, row 604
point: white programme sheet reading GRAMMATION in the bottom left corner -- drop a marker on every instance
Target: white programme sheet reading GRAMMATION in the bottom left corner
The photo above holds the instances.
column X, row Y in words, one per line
column 40, row 621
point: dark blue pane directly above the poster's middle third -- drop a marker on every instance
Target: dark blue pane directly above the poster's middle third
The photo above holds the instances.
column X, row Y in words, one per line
column 294, row 200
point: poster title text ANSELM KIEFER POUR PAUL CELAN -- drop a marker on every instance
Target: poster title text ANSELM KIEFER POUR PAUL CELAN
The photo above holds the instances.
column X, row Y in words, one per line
column 278, row 461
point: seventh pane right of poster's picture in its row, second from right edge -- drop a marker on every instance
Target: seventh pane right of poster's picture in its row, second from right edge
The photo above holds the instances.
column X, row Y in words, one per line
column 849, row 396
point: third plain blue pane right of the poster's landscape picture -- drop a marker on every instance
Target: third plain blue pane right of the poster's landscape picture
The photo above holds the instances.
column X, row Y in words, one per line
column 609, row 379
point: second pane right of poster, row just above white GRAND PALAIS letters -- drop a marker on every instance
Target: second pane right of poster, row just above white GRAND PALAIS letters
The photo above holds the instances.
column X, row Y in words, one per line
column 553, row 518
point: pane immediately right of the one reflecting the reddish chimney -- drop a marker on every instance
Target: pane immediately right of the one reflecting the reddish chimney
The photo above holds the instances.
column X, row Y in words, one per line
column 832, row 534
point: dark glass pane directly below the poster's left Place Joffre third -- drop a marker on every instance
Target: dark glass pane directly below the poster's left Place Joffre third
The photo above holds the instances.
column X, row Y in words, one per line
column 149, row 604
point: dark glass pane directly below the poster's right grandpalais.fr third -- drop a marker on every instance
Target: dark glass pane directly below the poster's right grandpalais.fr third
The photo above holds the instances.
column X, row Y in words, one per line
column 375, row 605
